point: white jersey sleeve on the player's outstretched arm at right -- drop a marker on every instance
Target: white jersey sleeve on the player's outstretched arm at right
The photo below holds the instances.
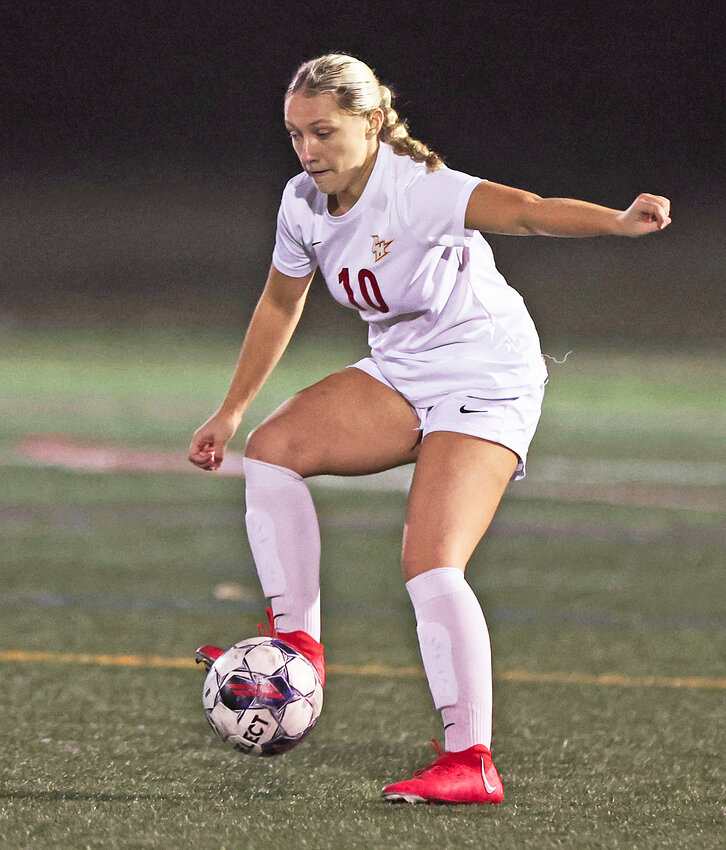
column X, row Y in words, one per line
column 434, row 206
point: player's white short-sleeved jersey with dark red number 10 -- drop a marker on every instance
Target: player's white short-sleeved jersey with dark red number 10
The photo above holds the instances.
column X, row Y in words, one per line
column 441, row 317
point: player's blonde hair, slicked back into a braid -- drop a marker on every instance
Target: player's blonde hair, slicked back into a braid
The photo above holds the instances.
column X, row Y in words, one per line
column 358, row 92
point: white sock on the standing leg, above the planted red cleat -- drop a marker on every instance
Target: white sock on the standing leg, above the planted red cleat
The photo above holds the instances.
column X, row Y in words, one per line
column 456, row 653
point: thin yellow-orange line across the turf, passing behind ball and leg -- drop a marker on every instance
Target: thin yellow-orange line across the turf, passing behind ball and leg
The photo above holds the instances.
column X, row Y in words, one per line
column 523, row 676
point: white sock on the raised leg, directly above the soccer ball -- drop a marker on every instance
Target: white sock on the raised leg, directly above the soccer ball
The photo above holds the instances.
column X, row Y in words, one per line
column 282, row 528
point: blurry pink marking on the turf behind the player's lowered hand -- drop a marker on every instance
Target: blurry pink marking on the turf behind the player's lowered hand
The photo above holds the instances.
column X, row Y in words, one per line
column 48, row 450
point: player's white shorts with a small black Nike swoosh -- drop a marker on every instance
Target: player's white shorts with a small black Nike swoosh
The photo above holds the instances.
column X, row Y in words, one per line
column 511, row 422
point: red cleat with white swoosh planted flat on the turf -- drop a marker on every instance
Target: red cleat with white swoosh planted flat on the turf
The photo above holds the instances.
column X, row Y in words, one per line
column 468, row 776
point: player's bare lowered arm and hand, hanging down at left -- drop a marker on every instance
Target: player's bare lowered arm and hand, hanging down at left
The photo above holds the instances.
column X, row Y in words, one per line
column 271, row 327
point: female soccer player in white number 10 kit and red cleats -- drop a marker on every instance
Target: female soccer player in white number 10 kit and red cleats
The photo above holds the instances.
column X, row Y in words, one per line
column 454, row 382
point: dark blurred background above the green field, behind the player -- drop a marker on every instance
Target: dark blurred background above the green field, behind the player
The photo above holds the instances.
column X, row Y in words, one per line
column 145, row 152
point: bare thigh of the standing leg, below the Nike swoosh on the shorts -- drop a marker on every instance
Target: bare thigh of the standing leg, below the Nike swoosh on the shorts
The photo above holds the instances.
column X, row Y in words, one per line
column 457, row 485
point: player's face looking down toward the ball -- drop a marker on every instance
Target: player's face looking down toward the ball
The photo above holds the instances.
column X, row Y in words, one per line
column 335, row 148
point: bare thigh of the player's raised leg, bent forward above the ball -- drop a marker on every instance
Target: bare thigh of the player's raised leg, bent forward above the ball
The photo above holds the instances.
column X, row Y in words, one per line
column 347, row 424
